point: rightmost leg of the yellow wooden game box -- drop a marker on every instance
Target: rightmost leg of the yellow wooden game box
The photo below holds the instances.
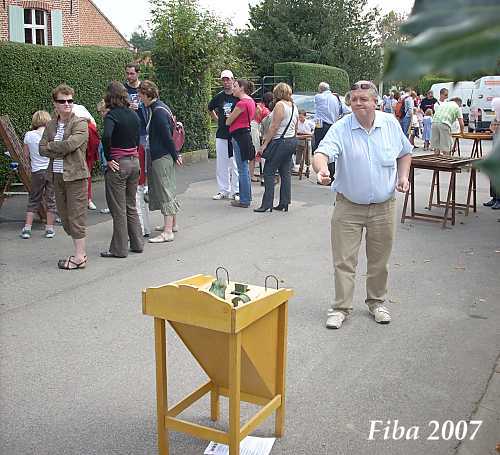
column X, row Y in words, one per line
column 281, row 368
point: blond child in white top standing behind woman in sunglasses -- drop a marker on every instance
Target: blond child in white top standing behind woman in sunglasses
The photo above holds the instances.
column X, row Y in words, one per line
column 39, row 178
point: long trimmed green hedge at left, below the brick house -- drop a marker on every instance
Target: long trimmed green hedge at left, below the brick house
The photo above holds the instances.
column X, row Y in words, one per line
column 30, row 73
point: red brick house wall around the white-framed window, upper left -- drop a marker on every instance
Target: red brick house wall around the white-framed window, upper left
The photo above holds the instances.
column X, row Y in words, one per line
column 83, row 23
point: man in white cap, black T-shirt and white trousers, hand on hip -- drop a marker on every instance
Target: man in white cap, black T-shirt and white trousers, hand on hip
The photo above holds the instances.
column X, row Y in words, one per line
column 220, row 107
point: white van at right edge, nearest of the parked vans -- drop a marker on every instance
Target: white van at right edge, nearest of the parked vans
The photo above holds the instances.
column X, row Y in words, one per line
column 485, row 89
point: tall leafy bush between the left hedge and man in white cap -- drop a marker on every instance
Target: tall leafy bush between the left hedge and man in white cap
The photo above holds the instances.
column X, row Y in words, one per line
column 187, row 43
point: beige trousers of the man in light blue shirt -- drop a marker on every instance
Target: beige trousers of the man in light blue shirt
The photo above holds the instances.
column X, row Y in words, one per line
column 349, row 220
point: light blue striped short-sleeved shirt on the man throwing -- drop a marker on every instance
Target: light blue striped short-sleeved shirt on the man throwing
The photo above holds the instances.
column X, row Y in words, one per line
column 366, row 166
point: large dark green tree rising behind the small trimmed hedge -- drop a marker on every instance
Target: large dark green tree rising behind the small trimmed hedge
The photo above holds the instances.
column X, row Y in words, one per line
column 332, row 32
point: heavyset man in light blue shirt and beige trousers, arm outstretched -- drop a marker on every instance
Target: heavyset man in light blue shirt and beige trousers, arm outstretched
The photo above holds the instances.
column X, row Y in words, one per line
column 373, row 159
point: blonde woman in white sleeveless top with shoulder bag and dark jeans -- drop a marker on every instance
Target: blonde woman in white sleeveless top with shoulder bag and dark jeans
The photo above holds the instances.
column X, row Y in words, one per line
column 278, row 147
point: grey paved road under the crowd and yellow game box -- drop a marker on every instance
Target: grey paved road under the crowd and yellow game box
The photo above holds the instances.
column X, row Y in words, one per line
column 77, row 360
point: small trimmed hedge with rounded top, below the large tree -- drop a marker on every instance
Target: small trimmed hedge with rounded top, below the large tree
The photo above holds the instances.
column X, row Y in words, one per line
column 307, row 76
